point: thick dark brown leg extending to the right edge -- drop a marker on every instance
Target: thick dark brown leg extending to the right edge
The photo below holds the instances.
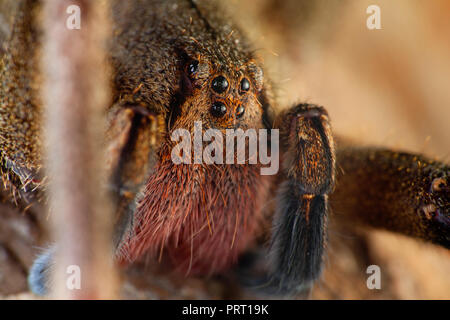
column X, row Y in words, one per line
column 396, row 191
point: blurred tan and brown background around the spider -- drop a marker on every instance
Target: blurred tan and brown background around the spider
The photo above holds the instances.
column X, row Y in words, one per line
column 384, row 87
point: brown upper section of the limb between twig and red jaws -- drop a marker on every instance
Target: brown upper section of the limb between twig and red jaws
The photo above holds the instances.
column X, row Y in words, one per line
column 133, row 136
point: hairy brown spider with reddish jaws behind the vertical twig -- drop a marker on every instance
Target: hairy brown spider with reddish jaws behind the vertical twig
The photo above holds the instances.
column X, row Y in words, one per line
column 177, row 62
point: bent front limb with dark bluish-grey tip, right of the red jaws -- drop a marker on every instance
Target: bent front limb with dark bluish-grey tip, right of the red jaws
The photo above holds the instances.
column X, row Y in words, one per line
column 300, row 220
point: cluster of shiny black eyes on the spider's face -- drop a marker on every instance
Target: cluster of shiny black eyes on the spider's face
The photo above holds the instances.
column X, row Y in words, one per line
column 220, row 85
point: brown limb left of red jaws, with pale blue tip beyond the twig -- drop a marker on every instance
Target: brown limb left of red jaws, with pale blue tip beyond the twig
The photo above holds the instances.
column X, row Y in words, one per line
column 130, row 140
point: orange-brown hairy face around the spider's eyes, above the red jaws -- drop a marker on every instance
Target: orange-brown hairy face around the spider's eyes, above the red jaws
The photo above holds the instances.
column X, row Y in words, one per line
column 220, row 95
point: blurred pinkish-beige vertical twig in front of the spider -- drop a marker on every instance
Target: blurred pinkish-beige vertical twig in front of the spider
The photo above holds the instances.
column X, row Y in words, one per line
column 76, row 96
